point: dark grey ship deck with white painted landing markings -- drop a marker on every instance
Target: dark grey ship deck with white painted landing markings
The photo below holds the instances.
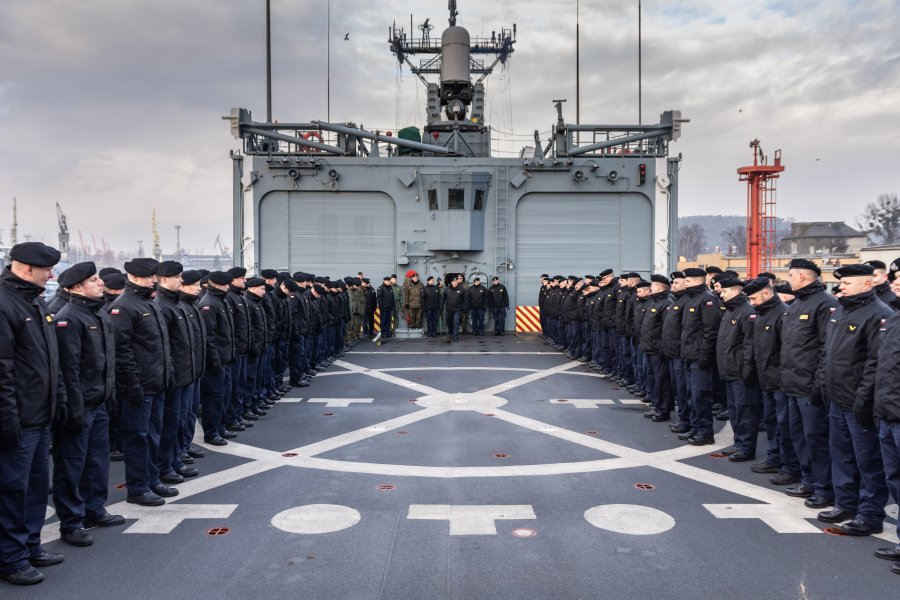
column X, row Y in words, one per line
column 496, row 470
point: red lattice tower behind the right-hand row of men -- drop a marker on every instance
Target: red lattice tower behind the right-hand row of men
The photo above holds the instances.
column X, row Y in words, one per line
column 760, row 178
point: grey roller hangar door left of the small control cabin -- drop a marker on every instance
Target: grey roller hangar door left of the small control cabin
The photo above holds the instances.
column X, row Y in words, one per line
column 330, row 234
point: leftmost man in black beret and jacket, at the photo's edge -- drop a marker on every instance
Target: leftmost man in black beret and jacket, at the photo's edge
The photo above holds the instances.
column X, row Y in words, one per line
column 31, row 396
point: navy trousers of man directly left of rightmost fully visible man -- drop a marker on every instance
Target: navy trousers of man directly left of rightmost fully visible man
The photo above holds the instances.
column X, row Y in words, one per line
column 809, row 432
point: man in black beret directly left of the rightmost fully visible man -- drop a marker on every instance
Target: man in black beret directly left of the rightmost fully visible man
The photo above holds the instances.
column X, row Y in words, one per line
column 802, row 356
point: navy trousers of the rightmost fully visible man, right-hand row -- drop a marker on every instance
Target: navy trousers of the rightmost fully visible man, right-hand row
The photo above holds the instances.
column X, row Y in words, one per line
column 857, row 467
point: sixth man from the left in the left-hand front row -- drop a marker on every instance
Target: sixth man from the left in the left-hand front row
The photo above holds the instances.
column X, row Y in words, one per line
column 219, row 356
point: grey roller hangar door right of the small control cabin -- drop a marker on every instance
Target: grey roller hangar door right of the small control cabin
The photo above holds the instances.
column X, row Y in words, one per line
column 576, row 234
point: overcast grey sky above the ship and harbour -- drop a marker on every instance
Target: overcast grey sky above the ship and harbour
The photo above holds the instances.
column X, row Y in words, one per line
column 112, row 107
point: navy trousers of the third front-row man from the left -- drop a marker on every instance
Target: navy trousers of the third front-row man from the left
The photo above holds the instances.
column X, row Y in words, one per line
column 140, row 427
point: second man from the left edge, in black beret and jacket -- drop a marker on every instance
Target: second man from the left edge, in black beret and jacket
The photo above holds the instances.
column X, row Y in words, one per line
column 87, row 357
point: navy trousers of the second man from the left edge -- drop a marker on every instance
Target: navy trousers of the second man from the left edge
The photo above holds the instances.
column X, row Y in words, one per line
column 81, row 470
